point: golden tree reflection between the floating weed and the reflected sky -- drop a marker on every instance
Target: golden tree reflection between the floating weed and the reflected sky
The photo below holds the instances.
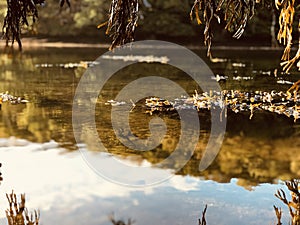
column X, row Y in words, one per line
column 256, row 151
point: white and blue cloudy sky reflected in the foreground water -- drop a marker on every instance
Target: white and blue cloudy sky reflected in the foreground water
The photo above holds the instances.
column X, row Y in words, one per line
column 67, row 191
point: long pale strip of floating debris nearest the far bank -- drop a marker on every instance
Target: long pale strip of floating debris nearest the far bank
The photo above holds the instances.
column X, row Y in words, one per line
column 138, row 58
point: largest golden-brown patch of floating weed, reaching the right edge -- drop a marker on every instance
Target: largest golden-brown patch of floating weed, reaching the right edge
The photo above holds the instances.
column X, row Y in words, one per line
column 236, row 101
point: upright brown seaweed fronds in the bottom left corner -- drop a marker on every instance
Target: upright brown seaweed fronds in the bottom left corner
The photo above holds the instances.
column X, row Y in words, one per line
column 17, row 214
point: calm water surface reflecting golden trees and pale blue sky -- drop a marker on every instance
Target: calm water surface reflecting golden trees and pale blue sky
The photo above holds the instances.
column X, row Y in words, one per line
column 40, row 156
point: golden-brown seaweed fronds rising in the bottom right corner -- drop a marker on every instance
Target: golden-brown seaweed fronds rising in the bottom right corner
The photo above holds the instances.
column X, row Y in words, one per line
column 293, row 204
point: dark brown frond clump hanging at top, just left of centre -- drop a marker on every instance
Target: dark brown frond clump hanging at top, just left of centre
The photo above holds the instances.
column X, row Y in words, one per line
column 123, row 17
